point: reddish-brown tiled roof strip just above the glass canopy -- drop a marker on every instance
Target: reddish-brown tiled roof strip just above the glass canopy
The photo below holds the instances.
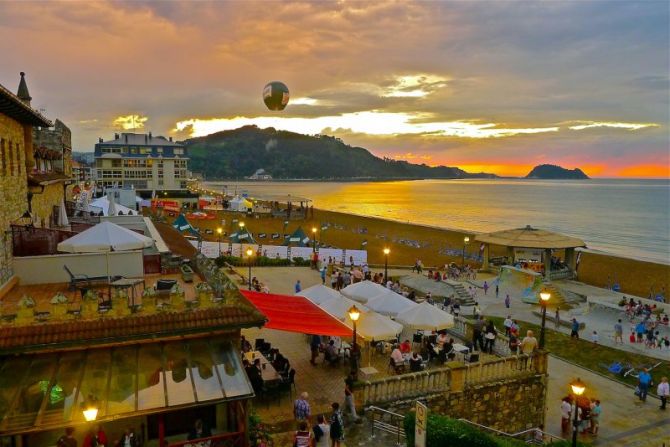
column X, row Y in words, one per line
column 105, row 331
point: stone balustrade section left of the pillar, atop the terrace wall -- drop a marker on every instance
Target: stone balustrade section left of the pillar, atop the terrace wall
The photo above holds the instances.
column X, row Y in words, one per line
column 406, row 386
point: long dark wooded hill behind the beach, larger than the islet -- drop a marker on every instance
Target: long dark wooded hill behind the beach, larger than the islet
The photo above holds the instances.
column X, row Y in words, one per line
column 287, row 155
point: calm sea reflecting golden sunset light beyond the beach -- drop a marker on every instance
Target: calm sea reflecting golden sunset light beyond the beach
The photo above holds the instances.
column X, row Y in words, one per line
column 625, row 217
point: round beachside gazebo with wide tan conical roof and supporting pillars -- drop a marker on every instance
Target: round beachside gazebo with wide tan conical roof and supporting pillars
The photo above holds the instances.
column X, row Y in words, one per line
column 531, row 244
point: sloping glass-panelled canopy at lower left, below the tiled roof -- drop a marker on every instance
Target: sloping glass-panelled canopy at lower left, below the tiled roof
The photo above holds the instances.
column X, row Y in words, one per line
column 47, row 391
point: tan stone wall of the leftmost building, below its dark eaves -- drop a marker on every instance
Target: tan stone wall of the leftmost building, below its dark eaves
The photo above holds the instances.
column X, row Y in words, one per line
column 13, row 187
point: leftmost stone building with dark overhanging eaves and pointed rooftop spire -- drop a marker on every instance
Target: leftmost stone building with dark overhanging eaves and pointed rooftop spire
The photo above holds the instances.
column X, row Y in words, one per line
column 17, row 120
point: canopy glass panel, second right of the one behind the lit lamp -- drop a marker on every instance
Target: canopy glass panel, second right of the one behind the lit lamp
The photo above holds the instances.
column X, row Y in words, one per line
column 151, row 387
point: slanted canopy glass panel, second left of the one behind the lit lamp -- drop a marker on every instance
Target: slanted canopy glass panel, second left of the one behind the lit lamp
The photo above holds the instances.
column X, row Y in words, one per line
column 32, row 394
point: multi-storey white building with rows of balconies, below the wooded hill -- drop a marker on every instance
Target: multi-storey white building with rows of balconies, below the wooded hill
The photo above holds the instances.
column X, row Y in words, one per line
column 143, row 162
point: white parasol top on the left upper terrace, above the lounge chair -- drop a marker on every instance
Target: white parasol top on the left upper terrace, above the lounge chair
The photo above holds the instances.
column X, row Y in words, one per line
column 105, row 237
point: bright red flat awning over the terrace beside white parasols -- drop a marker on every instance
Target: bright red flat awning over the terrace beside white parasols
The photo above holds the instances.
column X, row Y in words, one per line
column 296, row 314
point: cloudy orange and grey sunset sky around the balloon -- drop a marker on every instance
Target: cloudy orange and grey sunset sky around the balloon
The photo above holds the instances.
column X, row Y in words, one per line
column 488, row 86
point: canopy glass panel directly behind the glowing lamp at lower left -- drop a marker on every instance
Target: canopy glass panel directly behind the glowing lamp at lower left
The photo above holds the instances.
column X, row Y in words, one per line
column 94, row 383
